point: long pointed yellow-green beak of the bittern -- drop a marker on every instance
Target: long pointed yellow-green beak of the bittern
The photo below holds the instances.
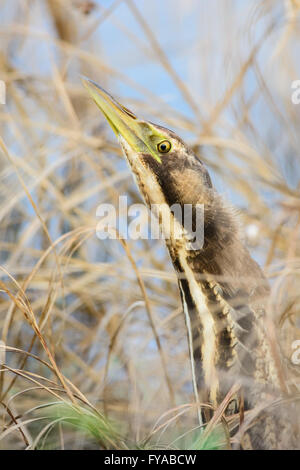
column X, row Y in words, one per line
column 122, row 121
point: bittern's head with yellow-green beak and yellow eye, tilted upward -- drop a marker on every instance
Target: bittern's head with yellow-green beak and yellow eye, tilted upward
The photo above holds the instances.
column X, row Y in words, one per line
column 165, row 168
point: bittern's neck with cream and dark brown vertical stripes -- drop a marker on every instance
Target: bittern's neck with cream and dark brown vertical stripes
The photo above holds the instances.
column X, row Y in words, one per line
column 220, row 287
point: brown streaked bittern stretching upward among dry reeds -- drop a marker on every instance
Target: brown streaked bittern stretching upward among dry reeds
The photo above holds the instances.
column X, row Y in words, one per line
column 223, row 290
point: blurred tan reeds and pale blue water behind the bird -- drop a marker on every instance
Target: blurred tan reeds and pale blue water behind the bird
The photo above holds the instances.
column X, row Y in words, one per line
column 98, row 324
